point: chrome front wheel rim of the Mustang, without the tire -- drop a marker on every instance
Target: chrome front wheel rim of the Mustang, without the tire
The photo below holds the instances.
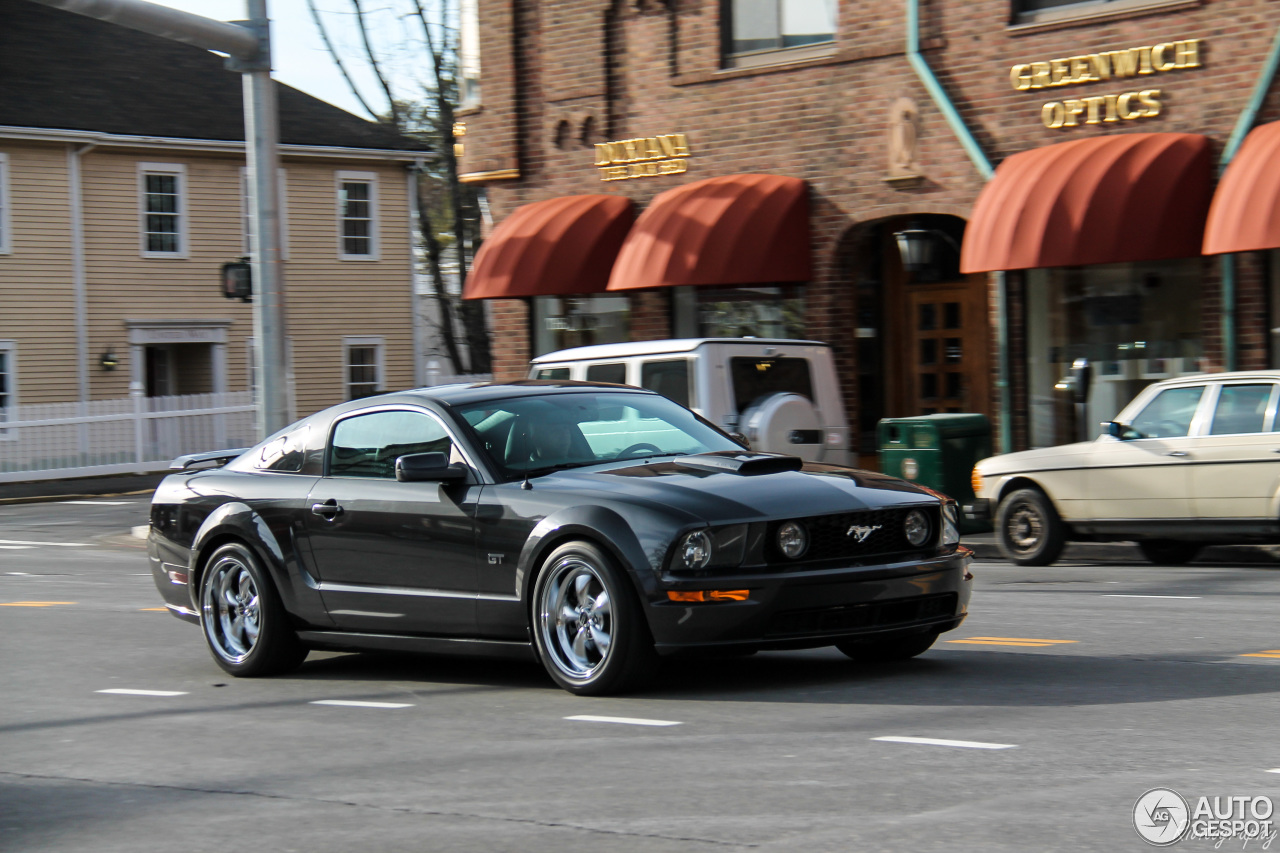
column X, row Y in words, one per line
column 575, row 618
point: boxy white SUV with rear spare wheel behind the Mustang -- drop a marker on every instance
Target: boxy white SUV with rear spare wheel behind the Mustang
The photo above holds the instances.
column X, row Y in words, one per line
column 784, row 396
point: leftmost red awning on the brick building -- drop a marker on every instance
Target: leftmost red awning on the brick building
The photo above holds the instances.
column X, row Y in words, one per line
column 554, row 248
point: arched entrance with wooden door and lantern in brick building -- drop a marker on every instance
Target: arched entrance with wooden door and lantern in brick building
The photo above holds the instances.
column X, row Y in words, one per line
column 922, row 337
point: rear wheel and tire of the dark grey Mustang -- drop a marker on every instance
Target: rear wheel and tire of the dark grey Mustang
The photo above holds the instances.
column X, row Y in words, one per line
column 245, row 626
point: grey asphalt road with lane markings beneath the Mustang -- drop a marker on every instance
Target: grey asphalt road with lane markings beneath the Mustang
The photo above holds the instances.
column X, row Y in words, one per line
column 1099, row 681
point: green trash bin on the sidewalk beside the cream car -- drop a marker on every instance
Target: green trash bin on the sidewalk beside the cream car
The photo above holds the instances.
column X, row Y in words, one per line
column 938, row 451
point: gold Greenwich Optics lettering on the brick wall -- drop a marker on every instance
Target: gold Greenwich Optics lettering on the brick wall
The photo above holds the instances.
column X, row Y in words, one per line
column 1100, row 67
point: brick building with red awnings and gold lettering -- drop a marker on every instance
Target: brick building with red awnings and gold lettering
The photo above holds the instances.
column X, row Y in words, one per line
column 1110, row 120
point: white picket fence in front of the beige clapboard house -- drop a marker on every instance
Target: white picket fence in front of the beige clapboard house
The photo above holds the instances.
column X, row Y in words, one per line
column 131, row 436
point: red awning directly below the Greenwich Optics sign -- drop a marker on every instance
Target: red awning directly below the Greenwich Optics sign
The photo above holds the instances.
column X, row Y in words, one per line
column 1103, row 200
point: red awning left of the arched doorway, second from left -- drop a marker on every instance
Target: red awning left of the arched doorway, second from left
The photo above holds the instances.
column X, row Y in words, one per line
column 735, row 230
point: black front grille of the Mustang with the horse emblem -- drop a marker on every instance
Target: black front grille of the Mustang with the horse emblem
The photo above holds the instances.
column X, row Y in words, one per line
column 833, row 537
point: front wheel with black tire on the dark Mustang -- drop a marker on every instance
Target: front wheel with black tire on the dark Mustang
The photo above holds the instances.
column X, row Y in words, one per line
column 580, row 597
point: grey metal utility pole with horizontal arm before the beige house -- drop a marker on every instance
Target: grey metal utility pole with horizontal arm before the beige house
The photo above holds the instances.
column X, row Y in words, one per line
column 250, row 53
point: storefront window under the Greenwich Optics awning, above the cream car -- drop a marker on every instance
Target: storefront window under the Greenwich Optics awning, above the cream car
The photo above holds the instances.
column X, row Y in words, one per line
column 1135, row 323
